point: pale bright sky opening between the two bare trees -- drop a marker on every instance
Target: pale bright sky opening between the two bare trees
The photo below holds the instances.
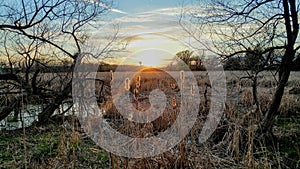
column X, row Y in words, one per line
column 148, row 27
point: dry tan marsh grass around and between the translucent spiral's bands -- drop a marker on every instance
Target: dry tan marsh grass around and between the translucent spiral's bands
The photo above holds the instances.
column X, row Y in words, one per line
column 232, row 145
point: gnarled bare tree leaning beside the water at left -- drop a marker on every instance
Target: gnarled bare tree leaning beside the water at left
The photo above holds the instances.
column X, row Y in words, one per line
column 39, row 34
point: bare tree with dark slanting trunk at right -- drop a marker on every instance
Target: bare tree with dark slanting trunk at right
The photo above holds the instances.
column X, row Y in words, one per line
column 237, row 26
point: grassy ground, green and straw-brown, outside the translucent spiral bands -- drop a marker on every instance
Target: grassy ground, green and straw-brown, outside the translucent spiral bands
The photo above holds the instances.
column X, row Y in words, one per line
column 63, row 144
